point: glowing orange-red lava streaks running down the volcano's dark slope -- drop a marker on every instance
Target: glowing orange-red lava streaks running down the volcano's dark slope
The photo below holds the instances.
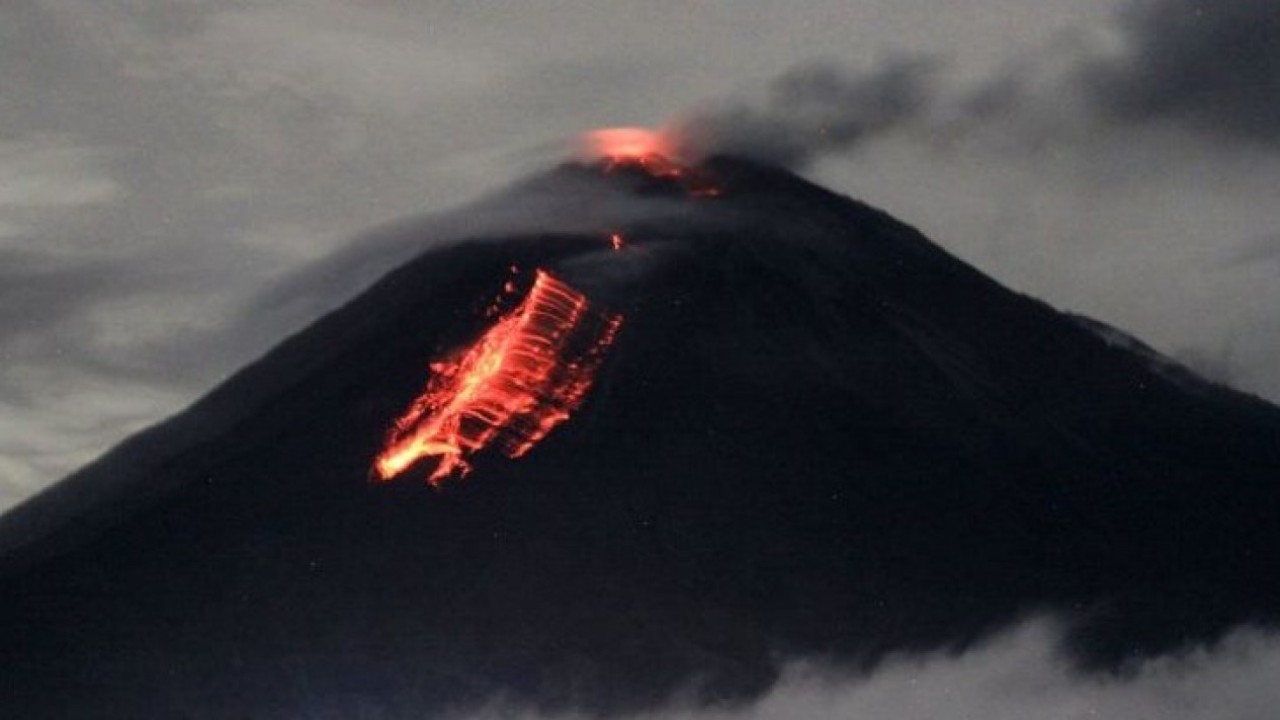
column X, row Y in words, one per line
column 511, row 388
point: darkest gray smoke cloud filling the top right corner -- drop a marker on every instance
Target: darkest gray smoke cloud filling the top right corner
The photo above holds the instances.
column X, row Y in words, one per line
column 1214, row 66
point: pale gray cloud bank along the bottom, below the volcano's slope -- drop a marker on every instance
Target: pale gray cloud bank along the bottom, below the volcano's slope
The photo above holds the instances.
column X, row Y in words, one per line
column 1013, row 677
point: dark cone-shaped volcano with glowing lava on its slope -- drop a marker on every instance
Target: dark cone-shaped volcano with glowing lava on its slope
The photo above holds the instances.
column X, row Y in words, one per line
column 810, row 432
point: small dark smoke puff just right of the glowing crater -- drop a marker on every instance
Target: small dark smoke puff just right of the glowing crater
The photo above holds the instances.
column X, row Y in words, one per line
column 813, row 111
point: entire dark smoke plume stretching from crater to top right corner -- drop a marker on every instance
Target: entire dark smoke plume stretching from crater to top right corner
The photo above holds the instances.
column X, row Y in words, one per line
column 1210, row 67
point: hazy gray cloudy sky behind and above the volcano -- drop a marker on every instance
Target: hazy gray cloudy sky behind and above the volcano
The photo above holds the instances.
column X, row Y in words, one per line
column 164, row 162
